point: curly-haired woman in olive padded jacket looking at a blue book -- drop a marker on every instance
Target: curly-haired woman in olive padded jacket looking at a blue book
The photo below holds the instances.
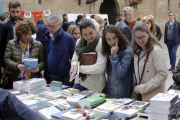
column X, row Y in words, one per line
column 23, row 47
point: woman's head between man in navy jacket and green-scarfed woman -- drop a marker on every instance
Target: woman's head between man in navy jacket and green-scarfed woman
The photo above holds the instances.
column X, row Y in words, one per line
column 74, row 31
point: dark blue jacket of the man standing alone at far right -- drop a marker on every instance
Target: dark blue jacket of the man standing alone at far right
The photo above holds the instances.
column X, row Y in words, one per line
column 176, row 32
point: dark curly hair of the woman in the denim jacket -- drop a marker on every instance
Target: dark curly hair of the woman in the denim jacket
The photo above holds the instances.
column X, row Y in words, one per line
column 123, row 41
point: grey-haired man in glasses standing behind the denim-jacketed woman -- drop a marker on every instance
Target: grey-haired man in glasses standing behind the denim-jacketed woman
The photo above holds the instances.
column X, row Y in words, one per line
column 124, row 25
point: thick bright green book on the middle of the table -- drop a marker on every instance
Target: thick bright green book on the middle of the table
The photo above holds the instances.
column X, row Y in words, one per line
column 90, row 101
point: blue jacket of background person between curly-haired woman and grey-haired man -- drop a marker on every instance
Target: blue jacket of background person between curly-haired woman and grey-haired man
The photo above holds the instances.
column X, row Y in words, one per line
column 42, row 29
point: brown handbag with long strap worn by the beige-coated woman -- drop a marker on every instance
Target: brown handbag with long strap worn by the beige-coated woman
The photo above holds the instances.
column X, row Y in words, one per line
column 134, row 95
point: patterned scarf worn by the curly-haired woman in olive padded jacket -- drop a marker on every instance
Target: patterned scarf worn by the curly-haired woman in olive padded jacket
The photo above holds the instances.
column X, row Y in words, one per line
column 25, row 54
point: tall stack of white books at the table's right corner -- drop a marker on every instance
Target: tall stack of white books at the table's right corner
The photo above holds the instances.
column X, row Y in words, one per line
column 163, row 106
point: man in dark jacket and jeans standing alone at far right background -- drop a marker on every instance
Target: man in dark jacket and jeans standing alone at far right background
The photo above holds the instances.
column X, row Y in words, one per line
column 172, row 38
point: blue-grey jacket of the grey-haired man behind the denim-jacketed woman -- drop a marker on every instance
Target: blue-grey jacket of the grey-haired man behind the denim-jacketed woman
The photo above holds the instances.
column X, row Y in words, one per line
column 124, row 27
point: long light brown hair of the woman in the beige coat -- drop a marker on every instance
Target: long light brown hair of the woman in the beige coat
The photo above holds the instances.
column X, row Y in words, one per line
column 152, row 40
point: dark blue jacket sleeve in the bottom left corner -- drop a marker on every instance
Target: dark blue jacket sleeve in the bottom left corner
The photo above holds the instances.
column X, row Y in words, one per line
column 13, row 109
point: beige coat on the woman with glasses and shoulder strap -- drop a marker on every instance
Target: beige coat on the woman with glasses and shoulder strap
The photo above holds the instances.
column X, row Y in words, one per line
column 155, row 74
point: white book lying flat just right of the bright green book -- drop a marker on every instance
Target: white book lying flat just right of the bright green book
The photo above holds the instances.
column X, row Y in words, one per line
column 109, row 106
